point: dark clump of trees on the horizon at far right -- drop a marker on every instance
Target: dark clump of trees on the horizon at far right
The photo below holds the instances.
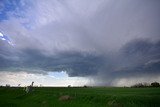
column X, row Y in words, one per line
column 153, row 84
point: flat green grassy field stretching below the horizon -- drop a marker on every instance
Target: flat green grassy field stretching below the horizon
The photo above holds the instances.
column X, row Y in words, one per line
column 80, row 97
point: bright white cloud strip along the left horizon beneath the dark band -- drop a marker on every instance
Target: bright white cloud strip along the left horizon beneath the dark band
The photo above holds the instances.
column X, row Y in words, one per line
column 25, row 79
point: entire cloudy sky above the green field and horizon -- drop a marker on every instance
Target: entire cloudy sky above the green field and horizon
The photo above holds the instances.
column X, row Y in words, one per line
column 79, row 42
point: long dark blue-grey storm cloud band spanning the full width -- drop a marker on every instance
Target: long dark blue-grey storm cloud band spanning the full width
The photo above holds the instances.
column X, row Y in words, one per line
column 138, row 57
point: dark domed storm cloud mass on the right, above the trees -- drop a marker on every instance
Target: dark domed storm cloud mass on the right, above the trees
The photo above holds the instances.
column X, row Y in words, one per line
column 138, row 58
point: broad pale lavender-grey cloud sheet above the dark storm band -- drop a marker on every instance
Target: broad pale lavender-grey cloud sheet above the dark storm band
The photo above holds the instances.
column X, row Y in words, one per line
column 69, row 25
